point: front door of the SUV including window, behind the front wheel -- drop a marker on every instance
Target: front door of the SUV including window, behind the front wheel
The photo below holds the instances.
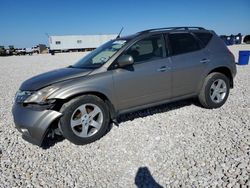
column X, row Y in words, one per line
column 148, row 79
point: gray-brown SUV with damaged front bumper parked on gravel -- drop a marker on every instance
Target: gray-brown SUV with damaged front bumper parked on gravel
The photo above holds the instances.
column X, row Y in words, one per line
column 123, row 75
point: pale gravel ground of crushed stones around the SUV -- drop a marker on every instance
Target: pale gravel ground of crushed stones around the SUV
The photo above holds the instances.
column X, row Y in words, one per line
column 180, row 144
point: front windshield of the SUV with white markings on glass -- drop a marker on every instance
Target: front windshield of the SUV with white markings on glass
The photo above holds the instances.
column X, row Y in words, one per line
column 100, row 55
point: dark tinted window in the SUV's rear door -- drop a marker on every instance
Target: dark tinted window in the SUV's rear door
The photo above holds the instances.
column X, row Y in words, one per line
column 183, row 43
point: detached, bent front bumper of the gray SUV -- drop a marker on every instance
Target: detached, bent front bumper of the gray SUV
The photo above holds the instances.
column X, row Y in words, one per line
column 33, row 124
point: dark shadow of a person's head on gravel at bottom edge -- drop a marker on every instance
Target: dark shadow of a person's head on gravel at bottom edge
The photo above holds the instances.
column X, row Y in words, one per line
column 144, row 179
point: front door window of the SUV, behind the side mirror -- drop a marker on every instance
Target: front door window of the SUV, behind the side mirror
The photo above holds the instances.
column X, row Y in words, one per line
column 147, row 49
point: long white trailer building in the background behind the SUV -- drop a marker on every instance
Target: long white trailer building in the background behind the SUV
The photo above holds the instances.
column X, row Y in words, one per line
column 78, row 42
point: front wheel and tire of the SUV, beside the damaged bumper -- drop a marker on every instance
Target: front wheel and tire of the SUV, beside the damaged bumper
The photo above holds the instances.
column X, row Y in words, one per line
column 92, row 115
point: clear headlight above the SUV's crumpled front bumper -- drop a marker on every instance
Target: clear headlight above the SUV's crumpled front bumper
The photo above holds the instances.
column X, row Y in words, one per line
column 41, row 96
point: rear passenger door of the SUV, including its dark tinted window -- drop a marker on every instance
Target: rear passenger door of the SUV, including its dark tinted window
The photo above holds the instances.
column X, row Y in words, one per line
column 189, row 61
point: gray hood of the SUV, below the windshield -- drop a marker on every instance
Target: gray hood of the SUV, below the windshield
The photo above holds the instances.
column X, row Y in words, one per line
column 48, row 78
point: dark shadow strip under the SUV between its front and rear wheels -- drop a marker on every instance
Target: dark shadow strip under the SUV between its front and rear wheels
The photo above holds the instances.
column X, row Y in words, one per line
column 155, row 110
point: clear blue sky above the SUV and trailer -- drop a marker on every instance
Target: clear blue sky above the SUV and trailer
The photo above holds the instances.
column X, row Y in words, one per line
column 25, row 23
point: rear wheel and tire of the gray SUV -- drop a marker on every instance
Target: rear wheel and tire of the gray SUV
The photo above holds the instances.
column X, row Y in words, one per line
column 215, row 90
